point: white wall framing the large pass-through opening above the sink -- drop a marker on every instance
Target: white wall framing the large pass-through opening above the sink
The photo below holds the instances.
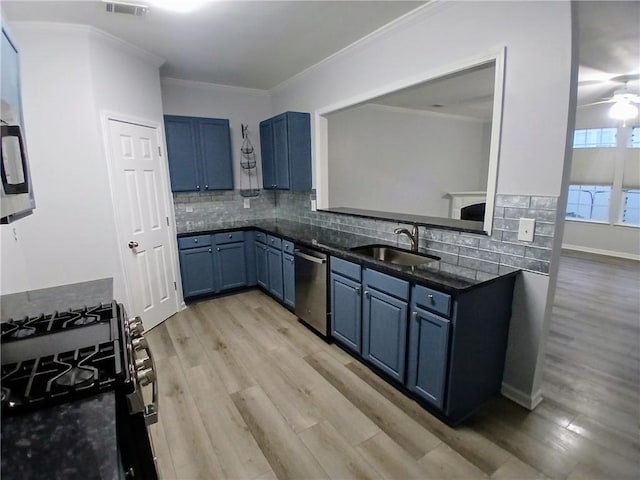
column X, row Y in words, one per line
column 535, row 113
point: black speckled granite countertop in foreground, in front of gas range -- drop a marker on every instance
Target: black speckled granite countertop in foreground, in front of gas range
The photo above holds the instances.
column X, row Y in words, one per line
column 72, row 441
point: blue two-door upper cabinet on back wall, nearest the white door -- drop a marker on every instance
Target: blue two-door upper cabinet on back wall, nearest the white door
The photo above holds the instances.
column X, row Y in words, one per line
column 199, row 153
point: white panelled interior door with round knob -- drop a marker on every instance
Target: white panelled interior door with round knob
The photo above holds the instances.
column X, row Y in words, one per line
column 143, row 221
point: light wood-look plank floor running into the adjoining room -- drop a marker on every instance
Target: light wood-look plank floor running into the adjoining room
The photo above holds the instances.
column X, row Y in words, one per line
column 247, row 392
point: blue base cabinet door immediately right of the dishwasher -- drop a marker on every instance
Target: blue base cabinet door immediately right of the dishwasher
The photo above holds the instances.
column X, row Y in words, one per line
column 346, row 310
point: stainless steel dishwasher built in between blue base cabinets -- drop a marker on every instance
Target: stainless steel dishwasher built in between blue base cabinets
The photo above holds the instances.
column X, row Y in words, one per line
column 311, row 288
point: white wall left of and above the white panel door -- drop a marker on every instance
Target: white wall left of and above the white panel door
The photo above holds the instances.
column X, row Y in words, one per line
column 69, row 74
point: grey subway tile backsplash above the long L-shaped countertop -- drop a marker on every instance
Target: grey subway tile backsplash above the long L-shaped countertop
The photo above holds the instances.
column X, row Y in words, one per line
column 466, row 254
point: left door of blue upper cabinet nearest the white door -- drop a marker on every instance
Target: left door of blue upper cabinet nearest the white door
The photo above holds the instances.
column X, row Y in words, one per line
column 182, row 153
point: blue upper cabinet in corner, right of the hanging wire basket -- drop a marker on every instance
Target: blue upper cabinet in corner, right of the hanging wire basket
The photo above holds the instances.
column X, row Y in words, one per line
column 285, row 142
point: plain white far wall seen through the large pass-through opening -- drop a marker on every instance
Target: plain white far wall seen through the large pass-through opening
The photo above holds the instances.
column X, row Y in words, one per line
column 399, row 160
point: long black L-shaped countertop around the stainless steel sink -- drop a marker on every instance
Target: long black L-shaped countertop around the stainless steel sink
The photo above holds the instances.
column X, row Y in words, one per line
column 339, row 243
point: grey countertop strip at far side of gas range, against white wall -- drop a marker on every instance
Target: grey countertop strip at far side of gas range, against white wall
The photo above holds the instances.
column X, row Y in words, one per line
column 49, row 300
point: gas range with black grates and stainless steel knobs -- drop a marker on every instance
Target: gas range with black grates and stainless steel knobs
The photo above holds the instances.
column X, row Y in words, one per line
column 68, row 356
